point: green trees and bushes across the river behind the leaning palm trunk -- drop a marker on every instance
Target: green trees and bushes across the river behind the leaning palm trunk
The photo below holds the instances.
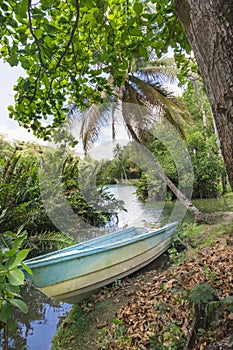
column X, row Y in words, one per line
column 201, row 141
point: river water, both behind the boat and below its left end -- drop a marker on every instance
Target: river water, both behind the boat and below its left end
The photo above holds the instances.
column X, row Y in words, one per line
column 36, row 329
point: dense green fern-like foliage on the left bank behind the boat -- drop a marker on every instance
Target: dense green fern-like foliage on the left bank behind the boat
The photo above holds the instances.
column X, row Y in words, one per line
column 22, row 204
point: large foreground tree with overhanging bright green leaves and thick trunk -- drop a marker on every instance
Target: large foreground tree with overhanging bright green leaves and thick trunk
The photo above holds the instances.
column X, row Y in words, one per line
column 93, row 41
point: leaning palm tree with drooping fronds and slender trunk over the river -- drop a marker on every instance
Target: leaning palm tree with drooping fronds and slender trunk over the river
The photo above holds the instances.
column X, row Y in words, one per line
column 143, row 89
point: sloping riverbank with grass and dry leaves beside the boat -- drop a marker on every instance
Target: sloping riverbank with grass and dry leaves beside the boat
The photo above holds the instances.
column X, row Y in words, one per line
column 183, row 306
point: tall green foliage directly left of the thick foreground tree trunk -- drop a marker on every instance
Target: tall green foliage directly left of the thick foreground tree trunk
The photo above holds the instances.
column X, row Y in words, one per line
column 203, row 145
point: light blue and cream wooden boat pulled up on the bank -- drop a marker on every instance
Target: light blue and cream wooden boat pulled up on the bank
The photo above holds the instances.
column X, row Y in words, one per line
column 74, row 273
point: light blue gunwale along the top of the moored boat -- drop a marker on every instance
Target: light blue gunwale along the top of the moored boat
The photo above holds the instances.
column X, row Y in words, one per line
column 68, row 254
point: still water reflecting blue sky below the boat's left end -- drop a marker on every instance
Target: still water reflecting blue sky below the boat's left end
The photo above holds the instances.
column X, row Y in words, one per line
column 36, row 329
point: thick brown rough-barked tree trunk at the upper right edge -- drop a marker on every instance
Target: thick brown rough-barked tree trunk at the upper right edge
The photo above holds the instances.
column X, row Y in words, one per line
column 209, row 27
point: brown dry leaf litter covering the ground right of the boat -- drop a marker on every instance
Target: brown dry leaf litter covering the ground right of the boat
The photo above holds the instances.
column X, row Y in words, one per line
column 157, row 305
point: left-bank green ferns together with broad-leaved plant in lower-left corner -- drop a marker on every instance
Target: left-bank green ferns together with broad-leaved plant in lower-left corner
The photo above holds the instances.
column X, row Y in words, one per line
column 26, row 228
